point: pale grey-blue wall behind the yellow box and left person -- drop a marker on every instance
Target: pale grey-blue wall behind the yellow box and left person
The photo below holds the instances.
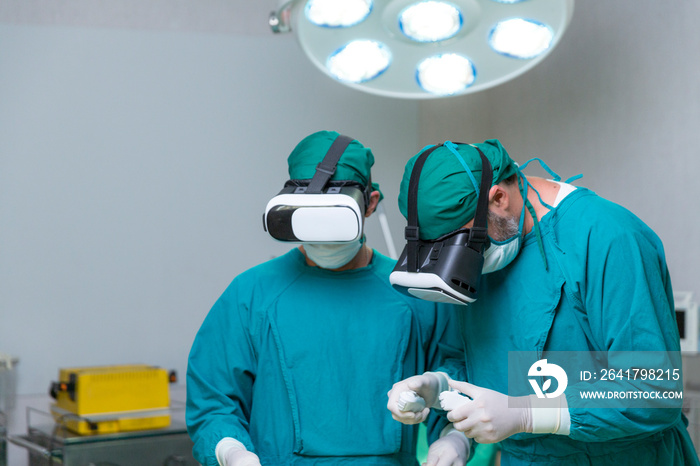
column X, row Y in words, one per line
column 134, row 168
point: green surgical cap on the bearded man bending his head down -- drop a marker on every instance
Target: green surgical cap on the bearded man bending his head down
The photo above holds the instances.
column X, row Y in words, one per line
column 446, row 193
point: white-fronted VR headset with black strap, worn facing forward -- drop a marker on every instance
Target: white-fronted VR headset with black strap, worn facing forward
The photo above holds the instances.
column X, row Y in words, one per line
column 319, row 210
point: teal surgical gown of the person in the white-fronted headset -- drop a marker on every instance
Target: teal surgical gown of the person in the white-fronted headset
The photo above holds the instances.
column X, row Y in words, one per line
column 296, row 361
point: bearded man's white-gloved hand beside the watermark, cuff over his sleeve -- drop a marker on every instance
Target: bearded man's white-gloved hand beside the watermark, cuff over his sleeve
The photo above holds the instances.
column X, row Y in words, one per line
column 490, row 416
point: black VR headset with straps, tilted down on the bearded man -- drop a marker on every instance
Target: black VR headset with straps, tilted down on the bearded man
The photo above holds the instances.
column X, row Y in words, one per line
column 447, row 269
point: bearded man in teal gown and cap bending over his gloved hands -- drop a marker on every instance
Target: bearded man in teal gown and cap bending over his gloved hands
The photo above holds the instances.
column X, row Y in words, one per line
column 566, row 271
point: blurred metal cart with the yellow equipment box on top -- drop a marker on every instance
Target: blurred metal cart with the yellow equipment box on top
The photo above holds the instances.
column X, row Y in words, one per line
column 117, row 415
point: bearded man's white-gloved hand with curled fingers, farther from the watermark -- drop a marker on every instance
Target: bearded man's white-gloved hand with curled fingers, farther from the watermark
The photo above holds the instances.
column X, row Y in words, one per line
column 428, row 386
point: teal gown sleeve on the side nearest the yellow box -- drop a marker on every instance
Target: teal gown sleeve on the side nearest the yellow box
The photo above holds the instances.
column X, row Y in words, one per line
column 221, row 372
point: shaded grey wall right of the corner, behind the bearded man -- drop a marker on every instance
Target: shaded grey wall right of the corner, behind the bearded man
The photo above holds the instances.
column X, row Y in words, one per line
column 619, row 101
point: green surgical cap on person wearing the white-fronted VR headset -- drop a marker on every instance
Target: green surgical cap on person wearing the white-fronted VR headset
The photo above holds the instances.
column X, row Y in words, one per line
column 354, row 164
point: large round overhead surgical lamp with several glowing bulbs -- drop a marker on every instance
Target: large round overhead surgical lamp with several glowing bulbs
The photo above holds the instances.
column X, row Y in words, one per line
column 421, row 49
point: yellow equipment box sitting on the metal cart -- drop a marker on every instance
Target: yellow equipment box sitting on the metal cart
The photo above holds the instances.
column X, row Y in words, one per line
column 110, row 399
